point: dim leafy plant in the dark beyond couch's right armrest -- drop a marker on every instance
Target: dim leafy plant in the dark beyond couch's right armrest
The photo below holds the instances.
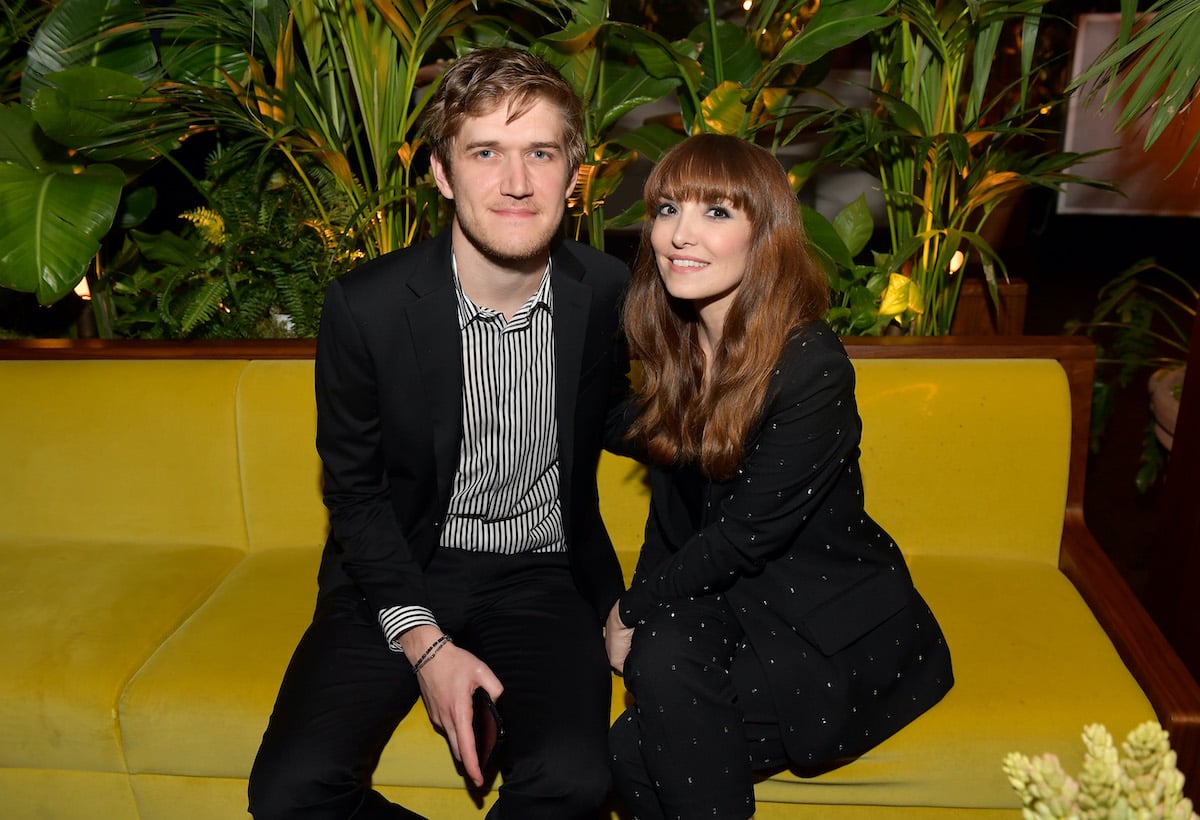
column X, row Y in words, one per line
column 1142, row 322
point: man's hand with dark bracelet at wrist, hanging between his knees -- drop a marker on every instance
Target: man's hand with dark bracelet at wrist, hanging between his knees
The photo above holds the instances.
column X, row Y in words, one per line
column 448, row 681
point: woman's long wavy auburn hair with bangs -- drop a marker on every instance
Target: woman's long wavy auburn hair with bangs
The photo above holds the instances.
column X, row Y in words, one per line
column 683, row 420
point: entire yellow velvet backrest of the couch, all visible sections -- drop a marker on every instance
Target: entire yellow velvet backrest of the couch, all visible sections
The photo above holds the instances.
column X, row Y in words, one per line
column 959, row 456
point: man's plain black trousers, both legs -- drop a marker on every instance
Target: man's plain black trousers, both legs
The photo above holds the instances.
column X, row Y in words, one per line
column 345, row 693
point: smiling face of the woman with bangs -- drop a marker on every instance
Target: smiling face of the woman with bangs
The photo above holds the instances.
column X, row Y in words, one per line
column 701, row 250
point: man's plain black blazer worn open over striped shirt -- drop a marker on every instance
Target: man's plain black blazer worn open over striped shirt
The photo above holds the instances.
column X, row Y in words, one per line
column 389, row 416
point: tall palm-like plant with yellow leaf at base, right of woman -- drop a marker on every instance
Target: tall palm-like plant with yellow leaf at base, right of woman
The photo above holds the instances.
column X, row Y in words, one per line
column 950, row 141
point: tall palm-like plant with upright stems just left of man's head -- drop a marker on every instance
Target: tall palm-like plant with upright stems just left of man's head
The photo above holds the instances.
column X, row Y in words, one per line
column 339, row 83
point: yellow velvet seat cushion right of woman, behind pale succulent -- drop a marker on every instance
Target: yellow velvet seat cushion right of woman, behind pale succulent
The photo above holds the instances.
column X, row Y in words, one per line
column 1033, row 668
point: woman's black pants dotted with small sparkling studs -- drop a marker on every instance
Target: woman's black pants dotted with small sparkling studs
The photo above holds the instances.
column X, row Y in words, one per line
column 703, row 722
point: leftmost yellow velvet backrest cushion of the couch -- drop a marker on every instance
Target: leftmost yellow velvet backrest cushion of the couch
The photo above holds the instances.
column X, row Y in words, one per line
column 143, row 452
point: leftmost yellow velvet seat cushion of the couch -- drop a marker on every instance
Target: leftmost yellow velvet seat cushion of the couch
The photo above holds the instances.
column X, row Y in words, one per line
column 79, row 623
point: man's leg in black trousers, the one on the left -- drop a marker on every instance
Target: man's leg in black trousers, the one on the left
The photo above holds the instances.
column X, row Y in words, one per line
column 343, row 697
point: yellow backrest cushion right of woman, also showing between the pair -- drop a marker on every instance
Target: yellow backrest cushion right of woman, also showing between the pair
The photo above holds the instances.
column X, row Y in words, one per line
column 961, row 457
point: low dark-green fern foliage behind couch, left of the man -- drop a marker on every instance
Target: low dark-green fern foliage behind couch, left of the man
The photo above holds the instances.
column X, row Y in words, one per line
column 255, row 264
